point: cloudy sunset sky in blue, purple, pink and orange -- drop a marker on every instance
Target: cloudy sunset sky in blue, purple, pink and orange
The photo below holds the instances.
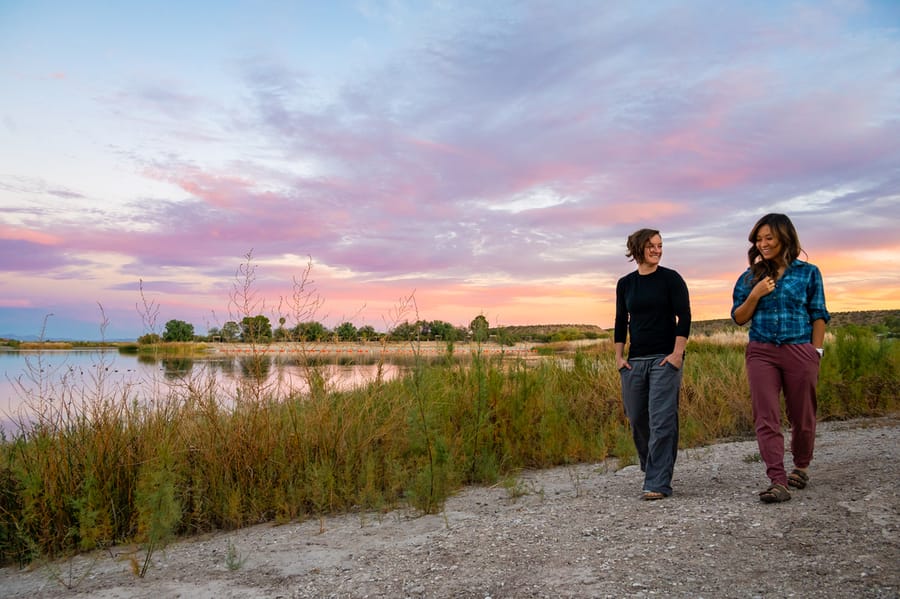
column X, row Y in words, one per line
column 483, row 157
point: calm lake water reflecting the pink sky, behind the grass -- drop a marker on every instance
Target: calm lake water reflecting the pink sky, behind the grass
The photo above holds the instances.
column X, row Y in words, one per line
column 77, row 376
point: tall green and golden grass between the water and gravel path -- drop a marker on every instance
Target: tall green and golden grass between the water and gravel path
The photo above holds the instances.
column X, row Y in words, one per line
column 87, row 474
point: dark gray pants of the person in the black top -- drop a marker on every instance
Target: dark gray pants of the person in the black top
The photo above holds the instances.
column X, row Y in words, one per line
column 650, row 394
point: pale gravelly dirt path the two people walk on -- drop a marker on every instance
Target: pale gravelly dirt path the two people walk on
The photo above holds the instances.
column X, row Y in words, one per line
column 578, row 531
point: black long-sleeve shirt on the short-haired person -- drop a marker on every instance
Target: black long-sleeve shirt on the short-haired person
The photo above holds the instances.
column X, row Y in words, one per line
column 653, row 309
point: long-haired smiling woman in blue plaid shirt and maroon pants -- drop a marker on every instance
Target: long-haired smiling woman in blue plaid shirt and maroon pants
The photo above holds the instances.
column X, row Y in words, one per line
column 784, row 301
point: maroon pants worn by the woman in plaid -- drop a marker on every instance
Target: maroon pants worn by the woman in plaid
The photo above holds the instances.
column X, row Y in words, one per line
column 793, row 369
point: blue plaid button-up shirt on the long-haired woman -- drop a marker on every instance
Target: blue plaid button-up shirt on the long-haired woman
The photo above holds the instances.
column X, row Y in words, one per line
column 785, row 316
